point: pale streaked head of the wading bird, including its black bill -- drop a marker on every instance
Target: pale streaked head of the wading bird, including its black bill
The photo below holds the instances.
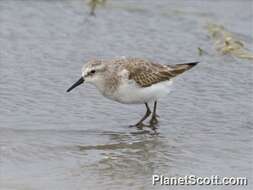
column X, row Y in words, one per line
column 92, row 72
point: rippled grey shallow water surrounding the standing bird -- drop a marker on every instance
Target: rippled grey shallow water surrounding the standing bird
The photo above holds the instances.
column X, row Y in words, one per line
column 53, row 140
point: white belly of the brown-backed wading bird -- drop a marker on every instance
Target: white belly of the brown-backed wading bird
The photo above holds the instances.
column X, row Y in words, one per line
column 130, row 93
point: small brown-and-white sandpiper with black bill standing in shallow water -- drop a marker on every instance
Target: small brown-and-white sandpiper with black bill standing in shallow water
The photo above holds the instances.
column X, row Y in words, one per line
column 132, row 81
